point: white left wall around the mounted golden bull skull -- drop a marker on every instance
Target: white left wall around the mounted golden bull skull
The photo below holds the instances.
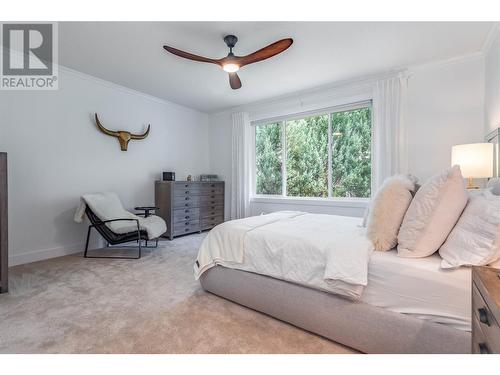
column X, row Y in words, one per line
column 56, row 154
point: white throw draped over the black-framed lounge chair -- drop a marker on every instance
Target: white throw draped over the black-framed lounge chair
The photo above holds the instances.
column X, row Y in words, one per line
column 107, row 206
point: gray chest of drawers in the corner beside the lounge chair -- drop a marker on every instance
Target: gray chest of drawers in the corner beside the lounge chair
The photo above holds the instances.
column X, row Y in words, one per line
column 189, row 207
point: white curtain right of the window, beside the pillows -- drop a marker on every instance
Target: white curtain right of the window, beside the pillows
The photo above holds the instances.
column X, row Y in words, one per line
column 390, row 149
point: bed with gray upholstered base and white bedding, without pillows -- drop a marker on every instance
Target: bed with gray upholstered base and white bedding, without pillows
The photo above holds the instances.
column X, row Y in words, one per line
column 403, row 306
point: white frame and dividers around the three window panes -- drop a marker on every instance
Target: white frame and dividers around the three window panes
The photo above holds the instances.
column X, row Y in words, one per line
column 278, row 198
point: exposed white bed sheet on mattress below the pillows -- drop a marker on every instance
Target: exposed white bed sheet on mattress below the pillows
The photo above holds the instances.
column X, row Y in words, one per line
column 419, row 287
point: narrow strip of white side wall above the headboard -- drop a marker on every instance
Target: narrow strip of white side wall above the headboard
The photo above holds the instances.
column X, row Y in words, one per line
column 492, row 87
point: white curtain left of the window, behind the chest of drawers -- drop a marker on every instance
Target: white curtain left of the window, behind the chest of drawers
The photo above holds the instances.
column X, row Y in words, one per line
column 241, row 182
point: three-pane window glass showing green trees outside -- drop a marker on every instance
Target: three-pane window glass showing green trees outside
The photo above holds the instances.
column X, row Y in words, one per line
column 324, row 155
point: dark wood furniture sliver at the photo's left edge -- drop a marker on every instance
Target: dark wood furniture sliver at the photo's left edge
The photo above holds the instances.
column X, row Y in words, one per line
column 4, row 259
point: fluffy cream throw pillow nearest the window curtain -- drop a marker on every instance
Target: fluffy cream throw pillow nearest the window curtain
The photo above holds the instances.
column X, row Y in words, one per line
column 387, row 211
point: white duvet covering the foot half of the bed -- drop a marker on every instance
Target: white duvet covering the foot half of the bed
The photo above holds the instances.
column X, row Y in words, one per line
column 293, row 246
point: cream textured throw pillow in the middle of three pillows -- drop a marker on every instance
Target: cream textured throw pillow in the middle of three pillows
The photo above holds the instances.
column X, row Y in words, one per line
column 433, row 212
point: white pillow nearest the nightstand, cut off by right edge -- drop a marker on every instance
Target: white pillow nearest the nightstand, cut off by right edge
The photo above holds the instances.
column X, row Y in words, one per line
column 475, row 240
